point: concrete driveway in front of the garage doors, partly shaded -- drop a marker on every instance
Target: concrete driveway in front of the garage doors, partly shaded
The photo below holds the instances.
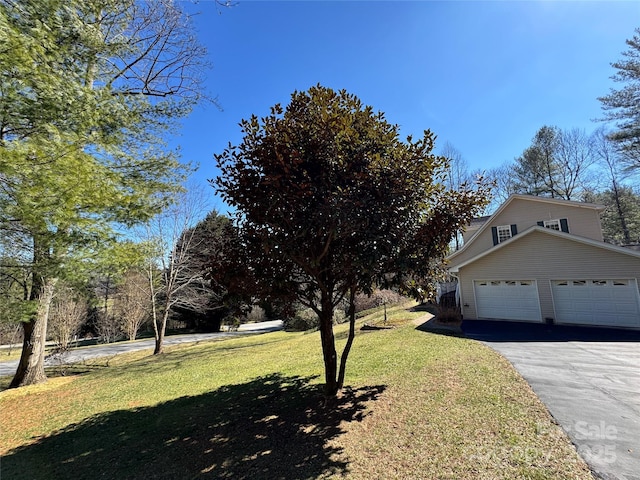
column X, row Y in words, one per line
column 588, row 378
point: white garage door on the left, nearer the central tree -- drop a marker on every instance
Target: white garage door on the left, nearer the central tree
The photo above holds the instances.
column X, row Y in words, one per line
column 507, row 300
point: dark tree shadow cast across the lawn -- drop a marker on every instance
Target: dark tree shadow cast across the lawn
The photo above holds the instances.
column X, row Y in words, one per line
column 273, row 427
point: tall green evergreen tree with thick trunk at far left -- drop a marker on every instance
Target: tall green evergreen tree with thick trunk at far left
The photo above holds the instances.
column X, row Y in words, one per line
column 88, row 89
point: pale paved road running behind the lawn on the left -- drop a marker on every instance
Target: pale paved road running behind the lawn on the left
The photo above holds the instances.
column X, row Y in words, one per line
column 111, row 349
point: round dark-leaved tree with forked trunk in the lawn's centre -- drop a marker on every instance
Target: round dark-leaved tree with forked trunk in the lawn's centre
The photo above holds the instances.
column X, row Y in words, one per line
column 330, row 202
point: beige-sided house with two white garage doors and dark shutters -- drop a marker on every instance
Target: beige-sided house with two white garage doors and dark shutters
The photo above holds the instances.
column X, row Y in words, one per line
column 540, row 259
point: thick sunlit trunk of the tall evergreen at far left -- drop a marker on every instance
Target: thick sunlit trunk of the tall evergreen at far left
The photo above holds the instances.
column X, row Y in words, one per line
column 31, row 366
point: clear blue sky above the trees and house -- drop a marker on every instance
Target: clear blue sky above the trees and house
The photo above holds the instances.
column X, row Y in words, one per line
column 483, row 76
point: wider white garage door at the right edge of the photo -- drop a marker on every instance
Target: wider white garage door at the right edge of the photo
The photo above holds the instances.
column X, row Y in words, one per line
column 597, row 302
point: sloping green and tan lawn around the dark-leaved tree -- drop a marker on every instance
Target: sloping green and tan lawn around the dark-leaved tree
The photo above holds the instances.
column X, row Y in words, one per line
column 419, row 406
